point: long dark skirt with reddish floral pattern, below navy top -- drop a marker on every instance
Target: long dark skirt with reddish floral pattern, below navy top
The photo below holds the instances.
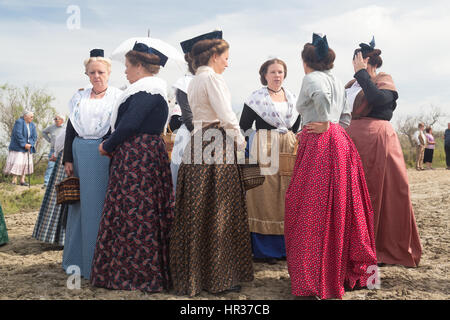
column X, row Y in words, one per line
column 133, row 239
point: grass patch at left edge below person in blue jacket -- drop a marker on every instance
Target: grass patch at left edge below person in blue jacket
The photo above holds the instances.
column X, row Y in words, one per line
column 15, row 199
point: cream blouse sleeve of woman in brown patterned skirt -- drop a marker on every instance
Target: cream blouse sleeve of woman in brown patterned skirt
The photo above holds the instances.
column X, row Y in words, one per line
column 220, row 99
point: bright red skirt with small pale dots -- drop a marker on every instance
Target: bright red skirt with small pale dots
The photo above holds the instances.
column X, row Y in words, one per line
column 329, row 218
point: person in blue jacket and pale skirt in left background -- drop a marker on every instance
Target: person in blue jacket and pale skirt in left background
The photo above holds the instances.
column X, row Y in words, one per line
column 21, row 148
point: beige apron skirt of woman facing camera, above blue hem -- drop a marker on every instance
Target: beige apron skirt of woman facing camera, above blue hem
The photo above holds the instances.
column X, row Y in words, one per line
column 265, row 204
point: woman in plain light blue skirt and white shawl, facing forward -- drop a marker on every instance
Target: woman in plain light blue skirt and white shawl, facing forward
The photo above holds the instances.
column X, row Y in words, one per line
column 89, row 121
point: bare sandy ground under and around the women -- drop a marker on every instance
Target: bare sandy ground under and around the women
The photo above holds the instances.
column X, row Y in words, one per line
column 30, row 269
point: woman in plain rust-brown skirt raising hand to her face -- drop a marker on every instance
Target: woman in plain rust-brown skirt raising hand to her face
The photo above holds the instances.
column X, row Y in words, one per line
column 373, row 97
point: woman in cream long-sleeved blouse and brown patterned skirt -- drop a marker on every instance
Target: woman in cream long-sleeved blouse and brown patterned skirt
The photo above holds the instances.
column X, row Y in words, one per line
column 210, row 235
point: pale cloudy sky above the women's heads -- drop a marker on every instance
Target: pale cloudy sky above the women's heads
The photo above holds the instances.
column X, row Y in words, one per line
column 43, row 46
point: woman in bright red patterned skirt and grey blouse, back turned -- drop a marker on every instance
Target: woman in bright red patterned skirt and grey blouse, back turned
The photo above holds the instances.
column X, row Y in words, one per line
column 329, row 218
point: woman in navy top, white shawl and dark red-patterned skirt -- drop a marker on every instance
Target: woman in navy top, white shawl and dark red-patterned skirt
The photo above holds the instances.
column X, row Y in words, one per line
column 133, row 238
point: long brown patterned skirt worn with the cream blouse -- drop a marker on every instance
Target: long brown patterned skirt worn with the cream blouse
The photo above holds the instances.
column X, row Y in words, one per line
column 210, row 247
